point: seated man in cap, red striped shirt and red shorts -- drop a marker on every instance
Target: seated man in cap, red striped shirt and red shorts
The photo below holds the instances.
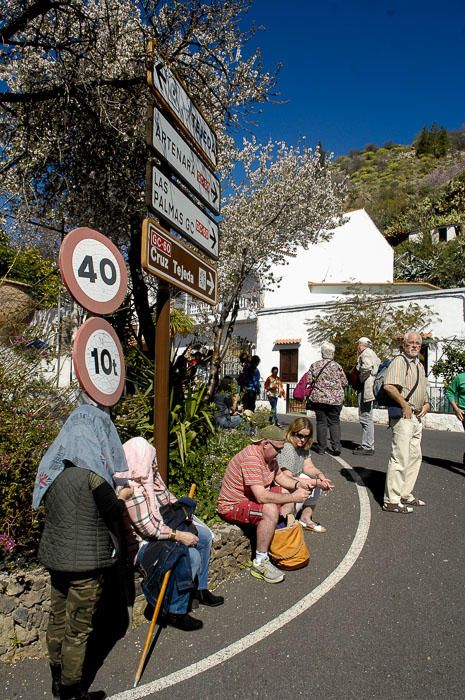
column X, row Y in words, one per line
column 251, row 494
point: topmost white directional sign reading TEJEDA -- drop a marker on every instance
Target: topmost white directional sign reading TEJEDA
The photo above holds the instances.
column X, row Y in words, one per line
column 175, row 98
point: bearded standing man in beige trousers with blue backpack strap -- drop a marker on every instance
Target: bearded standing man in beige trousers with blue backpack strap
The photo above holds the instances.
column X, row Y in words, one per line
column 406, row 387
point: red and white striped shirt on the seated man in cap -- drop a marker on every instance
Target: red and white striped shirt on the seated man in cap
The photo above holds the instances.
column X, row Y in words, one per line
column 247, row 468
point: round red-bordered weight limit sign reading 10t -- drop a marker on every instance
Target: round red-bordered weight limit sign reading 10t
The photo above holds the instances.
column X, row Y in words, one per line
column 98, row 361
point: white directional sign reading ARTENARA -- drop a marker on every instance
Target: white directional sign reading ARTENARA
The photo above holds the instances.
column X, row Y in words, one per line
column 185, row 162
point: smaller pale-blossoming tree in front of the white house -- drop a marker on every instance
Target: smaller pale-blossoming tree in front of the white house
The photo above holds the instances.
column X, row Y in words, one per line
column 287, row 199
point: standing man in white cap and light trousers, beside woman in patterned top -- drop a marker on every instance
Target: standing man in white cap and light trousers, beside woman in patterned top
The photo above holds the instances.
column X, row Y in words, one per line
column 367, row 366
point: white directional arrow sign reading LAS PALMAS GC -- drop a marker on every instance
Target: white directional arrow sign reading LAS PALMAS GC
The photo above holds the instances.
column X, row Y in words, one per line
column 167, row 200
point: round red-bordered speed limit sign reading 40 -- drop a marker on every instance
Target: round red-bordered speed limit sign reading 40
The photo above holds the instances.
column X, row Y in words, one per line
column 93, row 270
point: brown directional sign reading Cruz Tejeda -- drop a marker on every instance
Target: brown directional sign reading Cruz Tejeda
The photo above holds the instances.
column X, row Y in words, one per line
column 164, row 256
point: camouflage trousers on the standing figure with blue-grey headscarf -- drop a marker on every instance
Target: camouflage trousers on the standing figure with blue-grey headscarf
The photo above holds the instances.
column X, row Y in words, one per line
column 73, row 603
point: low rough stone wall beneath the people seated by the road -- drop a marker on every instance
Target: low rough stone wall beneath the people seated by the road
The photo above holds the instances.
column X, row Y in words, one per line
column 25, row 595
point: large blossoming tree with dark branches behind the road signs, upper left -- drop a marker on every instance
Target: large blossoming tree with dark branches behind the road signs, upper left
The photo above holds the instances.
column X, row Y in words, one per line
column 74, row 98
